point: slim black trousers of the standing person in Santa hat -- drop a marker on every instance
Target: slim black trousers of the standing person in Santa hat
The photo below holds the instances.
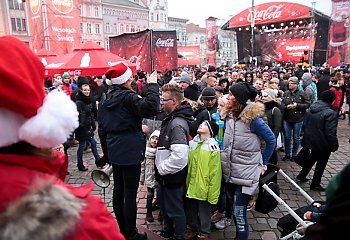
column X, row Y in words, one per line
column 126, row 182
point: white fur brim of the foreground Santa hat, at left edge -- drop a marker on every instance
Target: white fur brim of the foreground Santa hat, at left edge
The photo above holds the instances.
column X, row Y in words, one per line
column 10, row 122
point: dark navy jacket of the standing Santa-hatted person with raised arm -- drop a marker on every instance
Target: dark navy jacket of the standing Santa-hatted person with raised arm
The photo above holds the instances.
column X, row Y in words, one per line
column 121, row 117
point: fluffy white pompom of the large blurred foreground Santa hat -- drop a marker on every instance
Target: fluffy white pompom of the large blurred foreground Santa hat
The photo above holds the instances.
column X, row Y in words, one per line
column 54, row 122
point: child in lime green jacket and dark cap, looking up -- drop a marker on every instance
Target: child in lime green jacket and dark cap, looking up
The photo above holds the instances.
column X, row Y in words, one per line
column 203, row 180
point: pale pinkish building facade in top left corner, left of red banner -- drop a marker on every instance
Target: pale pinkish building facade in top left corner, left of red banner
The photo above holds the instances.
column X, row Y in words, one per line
column 14, row 20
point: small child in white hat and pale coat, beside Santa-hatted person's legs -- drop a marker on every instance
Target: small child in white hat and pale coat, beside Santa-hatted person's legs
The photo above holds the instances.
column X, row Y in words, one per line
column 147, row 172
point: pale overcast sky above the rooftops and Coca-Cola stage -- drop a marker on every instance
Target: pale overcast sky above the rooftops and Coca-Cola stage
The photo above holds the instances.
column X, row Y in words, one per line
column 196, row 11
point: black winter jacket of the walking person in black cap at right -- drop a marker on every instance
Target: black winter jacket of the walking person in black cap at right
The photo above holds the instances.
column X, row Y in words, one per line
column 320, row 128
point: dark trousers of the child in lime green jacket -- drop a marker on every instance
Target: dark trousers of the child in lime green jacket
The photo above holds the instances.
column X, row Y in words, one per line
column 198, row 210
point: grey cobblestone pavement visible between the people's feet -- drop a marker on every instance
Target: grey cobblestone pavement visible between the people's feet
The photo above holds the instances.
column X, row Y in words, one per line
column 262, row 226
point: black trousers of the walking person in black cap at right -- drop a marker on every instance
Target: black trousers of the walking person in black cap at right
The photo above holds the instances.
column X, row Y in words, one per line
column 321, row 159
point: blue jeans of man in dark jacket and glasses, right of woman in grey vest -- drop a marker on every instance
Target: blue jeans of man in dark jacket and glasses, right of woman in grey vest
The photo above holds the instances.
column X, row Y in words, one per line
column 288, row 128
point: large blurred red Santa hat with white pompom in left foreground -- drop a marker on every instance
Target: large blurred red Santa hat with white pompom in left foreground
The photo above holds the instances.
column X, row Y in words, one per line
column 26, row 114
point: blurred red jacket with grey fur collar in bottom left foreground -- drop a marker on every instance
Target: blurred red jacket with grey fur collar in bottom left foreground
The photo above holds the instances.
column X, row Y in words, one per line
column 34, row 201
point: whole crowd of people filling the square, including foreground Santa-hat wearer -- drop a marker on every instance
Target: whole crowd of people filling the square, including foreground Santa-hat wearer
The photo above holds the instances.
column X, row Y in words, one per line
column 198, row 138
